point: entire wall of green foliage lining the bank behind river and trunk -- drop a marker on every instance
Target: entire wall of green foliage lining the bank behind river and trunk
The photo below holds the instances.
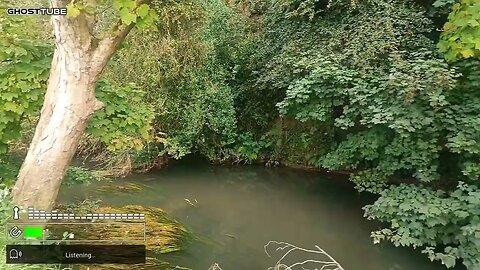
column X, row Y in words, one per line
column 371, row 87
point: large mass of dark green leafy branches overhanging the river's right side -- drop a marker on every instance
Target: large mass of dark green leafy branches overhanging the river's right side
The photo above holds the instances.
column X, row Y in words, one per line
column 382, row 105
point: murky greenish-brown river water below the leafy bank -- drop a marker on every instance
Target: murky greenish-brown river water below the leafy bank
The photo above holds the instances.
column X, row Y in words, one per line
column 240, row 209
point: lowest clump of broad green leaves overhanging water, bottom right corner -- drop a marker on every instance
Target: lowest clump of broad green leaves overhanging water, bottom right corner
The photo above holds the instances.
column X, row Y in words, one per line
column 422, row 217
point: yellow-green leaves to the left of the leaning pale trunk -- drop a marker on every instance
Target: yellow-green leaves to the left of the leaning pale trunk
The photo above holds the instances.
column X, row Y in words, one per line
column 24, row 69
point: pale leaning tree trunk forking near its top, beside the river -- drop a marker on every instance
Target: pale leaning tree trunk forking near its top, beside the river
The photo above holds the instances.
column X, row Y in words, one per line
column 70, row 101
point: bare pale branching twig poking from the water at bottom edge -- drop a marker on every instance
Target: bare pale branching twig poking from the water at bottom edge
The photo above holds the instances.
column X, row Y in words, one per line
column 329, row 263
